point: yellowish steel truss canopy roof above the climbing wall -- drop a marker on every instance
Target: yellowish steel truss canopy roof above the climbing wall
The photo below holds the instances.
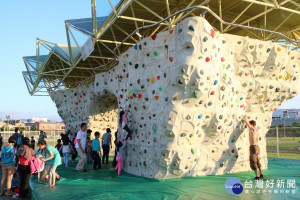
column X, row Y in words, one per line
column 58, row 66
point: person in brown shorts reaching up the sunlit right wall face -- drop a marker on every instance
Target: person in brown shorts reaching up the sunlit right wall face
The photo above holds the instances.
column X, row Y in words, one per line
column 254, row 149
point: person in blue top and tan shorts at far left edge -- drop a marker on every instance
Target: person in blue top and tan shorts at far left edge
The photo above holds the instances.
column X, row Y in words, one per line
column 8, row 165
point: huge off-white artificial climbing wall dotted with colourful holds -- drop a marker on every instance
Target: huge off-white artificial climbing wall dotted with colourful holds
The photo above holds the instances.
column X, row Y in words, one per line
column 188, row 88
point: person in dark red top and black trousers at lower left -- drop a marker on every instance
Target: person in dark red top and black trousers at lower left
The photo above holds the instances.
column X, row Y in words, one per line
column 25, row 154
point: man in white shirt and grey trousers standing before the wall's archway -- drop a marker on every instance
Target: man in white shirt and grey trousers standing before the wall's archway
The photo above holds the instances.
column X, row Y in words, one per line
column 80, row 145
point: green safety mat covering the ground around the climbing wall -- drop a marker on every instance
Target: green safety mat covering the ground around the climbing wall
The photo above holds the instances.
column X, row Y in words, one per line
column 106, row 184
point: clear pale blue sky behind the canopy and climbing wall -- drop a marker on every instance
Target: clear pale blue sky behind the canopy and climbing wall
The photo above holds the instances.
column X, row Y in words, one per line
column 21, row 22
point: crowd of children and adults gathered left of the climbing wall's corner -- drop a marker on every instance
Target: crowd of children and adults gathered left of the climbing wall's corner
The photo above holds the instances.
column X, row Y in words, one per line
column 20, row 152
